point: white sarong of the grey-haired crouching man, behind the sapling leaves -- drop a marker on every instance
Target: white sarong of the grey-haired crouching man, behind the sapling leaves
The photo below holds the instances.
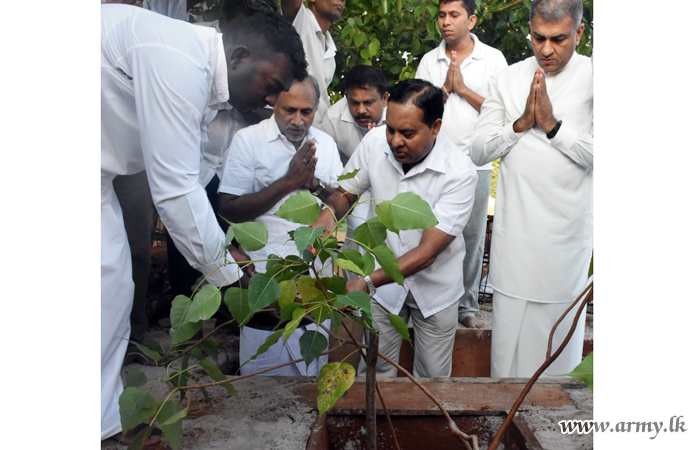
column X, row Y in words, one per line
column 252, row 339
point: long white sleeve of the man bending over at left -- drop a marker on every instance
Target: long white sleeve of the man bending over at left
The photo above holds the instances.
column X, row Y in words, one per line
column 169, row 104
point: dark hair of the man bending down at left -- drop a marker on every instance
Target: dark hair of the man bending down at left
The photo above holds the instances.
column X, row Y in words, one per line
column 268, row 35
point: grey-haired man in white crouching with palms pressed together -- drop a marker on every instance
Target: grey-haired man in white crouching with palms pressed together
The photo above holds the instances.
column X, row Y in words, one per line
column 268, row 163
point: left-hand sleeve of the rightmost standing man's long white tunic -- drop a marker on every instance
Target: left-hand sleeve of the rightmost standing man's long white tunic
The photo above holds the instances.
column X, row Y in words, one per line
column 493, row 138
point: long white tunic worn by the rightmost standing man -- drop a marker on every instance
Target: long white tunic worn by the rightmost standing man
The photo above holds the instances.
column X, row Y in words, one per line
column 543, row 223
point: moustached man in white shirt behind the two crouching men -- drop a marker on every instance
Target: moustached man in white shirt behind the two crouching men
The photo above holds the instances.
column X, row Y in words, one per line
column 362, row 108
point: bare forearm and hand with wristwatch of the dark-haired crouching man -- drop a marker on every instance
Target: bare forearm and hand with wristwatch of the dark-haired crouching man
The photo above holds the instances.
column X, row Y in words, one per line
column 433, row 242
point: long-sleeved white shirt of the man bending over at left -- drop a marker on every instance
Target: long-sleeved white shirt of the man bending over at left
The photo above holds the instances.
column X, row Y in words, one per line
column 159, row 91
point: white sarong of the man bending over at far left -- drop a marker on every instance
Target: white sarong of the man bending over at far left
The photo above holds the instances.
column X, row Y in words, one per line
column 117, row 298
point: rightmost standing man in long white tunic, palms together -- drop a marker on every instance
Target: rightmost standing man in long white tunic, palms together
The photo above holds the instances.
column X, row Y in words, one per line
column 538, row 118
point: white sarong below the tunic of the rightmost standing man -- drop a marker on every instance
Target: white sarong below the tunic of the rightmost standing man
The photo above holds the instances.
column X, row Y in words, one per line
column 520, row 334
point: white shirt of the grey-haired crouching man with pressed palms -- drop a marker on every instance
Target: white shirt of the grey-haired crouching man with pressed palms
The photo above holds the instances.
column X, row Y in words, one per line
column 259, row 156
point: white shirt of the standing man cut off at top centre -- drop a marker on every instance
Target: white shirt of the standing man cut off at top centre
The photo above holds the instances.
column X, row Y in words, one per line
column 320, row 54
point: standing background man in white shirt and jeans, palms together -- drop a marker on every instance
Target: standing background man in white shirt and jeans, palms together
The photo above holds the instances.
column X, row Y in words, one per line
column 464, row 66
